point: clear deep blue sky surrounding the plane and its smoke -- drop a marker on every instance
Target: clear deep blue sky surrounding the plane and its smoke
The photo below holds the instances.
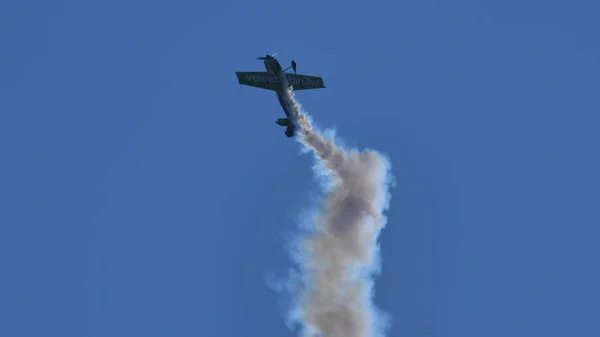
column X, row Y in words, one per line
column 143, row 193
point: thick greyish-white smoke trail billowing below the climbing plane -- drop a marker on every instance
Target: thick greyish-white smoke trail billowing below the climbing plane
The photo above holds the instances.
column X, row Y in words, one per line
column 339, row 259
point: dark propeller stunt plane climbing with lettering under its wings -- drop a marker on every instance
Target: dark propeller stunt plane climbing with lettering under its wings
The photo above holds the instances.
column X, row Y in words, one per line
column 276, row 79
